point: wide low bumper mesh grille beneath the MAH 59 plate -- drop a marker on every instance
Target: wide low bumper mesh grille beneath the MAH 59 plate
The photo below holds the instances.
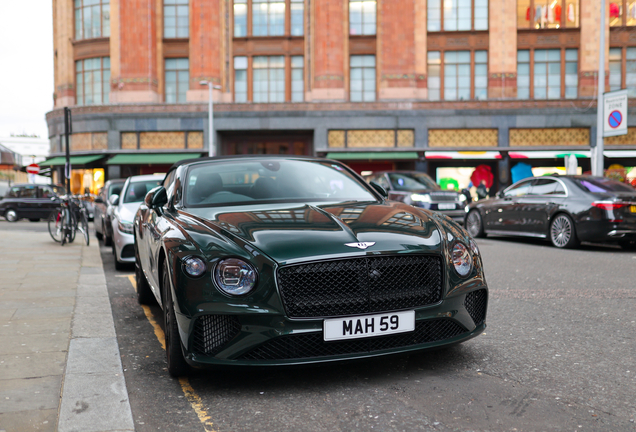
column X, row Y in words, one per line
column 312, row 345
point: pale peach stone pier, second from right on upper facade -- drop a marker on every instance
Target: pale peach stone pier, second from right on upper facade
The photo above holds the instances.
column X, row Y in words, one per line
column 502, row 49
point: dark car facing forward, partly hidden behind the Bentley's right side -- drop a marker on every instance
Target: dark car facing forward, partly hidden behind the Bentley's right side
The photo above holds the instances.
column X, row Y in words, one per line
column 420, row 190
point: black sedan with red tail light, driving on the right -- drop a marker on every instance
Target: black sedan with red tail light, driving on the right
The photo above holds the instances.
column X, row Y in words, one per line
column 565, row 209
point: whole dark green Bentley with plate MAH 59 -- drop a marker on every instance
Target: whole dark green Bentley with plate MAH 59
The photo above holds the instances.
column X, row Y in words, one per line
column 282, row 260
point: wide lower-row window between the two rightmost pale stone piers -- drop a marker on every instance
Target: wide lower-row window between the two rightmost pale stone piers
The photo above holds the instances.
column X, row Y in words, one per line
column 546, row 76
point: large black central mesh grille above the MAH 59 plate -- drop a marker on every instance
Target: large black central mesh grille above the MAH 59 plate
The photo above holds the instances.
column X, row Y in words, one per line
column 360, row 285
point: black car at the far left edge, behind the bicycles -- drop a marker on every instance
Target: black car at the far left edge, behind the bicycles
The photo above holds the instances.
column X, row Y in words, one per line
column 30, row 201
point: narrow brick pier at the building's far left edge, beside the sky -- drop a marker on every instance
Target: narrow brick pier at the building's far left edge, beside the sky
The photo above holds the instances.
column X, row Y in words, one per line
column 63, row 35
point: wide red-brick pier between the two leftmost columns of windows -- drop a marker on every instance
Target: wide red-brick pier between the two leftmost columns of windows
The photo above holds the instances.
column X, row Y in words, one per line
column 136, row 77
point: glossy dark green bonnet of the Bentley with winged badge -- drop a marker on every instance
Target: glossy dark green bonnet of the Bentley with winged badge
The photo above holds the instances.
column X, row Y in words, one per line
column 298, row 232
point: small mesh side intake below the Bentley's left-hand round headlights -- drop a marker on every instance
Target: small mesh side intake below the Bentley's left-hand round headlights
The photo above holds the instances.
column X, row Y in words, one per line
column 212, row 332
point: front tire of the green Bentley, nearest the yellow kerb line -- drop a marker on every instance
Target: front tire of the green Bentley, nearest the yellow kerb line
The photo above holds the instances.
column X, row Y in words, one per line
column 177, row 365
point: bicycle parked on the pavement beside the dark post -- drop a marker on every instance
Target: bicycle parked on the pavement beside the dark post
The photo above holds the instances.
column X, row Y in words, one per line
column 63, row 221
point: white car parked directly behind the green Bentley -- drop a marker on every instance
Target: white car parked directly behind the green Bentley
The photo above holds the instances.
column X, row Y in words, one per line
column 124, row 208
